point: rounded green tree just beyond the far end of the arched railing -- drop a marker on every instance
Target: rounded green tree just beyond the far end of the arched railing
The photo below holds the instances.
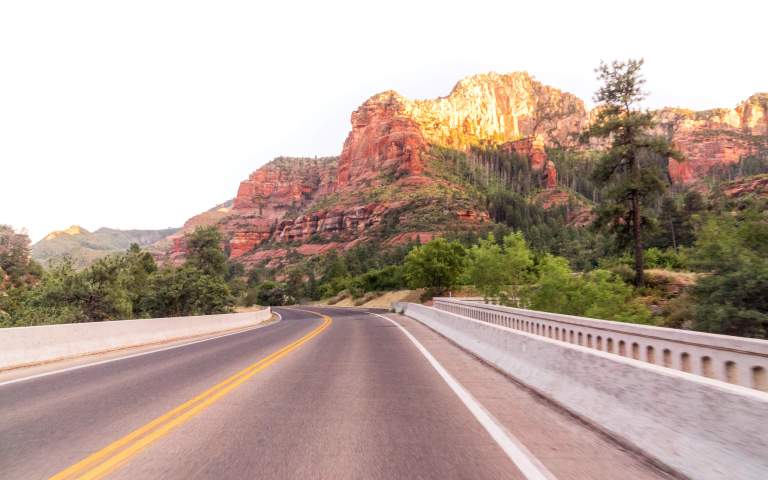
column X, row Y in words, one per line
column 435, row 265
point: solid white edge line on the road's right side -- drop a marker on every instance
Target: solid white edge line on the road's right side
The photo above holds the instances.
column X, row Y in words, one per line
column 525, row 461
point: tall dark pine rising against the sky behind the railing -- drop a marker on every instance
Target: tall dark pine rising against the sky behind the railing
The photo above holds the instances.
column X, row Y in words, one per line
column 630, row 169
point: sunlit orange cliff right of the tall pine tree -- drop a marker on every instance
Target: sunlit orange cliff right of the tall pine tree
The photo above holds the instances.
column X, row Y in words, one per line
column 714, row 138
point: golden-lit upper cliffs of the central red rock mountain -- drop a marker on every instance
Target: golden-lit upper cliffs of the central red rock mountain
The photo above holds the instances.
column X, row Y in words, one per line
column 392, row 134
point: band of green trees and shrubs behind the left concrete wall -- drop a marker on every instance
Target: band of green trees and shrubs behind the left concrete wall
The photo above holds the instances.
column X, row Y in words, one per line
column 121, row 286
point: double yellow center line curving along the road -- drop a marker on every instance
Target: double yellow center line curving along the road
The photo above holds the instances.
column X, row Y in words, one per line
column 119, row 452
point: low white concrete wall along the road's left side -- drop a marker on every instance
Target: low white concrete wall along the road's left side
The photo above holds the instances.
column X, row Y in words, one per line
column 21, row 346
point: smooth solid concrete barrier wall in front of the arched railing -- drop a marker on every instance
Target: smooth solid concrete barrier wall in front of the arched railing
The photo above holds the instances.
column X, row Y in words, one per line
column 700, row 427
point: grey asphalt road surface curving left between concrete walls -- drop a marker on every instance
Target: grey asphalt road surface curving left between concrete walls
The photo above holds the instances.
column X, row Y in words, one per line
column 326, row 394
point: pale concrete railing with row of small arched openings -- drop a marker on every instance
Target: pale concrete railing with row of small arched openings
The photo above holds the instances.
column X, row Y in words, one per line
column 736, row 360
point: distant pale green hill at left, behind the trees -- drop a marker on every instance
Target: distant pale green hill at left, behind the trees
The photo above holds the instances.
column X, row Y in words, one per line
column 85, row 247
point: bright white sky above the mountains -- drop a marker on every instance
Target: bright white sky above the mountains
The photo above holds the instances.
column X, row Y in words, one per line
column 141, row 114
